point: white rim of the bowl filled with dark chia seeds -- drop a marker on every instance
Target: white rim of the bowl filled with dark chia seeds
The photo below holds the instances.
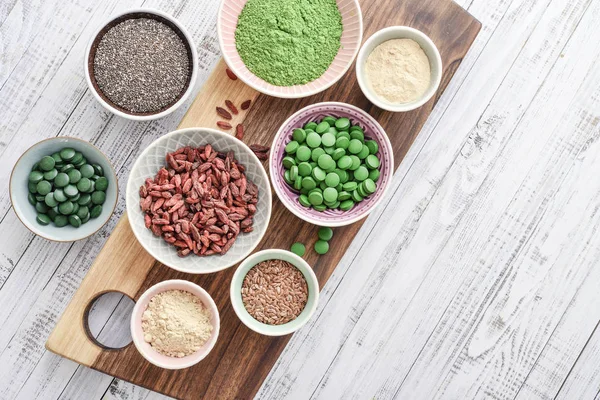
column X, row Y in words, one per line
column 193, row 77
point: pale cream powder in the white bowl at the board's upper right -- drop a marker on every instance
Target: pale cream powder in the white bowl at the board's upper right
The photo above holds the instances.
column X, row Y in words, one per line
column 398, row 71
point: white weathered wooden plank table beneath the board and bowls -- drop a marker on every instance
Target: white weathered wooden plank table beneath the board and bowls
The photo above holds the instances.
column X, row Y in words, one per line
column 477, row 279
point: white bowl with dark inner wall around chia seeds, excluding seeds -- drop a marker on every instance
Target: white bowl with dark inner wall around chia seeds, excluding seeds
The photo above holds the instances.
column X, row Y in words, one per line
column 140, row 13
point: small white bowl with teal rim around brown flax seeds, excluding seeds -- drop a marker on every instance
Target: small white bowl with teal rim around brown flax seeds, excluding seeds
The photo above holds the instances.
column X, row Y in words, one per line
column 266, row 329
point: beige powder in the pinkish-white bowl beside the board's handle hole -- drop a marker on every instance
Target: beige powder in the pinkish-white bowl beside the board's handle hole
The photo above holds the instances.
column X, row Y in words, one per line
column 176, row 323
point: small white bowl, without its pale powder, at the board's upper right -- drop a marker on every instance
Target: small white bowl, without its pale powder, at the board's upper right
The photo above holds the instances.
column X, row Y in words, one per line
column 399, row 32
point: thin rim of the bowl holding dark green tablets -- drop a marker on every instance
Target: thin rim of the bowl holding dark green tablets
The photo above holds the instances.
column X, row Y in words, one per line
column 40, row 233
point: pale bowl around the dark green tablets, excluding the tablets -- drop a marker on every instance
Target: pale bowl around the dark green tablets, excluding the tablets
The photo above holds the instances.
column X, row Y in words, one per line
column 27, row 213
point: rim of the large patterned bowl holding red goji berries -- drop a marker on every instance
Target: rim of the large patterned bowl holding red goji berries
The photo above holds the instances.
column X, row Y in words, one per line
column 264, row 176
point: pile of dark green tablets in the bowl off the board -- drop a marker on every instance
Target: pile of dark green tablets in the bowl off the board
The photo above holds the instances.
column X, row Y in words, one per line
column 66, row 190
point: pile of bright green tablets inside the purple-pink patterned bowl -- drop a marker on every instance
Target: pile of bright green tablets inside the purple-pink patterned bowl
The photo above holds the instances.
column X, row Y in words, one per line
column 331, row 164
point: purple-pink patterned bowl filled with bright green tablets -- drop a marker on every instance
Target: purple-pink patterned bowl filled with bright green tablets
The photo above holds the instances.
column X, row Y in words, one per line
column 331, row 164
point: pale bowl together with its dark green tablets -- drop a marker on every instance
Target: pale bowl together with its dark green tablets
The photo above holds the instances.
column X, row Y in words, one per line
column 63, row 189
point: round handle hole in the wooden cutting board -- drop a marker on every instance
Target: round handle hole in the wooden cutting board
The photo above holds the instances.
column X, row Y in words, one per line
column 106, row 320
